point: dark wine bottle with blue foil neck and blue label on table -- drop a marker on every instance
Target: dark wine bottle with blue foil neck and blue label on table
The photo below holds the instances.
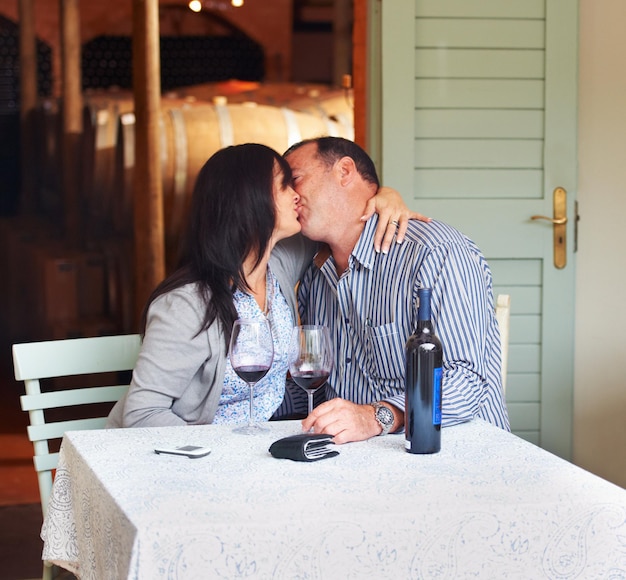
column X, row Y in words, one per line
column 424, row 358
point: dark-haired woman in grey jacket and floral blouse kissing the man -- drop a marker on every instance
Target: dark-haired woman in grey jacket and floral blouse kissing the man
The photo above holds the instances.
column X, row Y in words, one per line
column 232, row 265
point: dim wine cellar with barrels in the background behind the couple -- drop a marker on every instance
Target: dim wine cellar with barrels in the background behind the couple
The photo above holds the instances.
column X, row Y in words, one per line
column 266, row 74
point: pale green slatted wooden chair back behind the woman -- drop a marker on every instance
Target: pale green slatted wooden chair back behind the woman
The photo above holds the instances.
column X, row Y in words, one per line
column 53, row 359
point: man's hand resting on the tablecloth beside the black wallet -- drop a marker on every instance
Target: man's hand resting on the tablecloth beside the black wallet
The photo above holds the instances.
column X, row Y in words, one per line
column 345, row 420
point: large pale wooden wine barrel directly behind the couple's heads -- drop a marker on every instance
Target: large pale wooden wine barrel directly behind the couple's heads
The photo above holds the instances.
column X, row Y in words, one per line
column 190, row 135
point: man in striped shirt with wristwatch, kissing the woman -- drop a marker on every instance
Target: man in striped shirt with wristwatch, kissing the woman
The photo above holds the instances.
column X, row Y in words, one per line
column 369, row 301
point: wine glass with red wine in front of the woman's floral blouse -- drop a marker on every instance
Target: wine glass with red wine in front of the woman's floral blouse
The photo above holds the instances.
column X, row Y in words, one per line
column 251, row 354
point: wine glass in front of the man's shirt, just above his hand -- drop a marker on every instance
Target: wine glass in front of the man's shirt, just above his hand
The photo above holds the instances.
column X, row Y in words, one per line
column 310, row 358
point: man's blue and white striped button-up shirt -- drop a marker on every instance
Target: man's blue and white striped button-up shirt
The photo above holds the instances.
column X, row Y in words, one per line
column 371, row 310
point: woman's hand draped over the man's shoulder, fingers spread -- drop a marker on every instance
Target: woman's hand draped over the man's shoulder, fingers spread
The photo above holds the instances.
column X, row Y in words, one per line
column 393, row 218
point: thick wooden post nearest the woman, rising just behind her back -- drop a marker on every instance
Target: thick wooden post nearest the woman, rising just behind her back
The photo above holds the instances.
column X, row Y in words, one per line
column 147, row 186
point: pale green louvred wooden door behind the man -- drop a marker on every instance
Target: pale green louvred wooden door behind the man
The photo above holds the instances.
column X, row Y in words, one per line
column 477, row 128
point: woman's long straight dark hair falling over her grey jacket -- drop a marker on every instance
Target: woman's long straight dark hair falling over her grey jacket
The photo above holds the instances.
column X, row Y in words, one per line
column 232, row 216
